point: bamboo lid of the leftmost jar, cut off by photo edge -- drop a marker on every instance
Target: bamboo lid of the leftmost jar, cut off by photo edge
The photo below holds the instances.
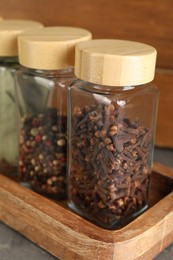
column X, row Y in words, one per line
column 9, row 30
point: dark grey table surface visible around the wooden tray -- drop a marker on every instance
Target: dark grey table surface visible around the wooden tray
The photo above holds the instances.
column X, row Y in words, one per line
column 13, row 246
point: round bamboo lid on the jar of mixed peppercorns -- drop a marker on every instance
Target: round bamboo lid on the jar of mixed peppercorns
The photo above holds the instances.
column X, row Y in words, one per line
column 50, row 48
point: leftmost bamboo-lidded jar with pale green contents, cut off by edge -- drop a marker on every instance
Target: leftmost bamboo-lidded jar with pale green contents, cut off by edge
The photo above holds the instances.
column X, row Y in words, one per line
column 9, row 29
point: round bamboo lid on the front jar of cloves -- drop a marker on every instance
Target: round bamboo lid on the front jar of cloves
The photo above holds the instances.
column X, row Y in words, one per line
column 115, row 62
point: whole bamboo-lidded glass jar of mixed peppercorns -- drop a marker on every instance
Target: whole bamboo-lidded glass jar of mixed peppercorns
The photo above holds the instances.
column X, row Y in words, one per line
column 48, row 57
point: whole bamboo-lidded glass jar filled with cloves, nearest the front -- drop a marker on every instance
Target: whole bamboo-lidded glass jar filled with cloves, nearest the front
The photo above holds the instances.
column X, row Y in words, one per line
column 112, row 120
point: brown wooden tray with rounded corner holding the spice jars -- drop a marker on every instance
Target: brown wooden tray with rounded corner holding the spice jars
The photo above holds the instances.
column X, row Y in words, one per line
column 67, row 236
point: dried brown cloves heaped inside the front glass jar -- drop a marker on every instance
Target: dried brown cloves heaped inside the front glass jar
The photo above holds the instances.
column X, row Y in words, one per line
column 109, row 176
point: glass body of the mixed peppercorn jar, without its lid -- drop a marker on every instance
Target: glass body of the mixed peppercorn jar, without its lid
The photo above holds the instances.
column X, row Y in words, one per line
column 42, row 113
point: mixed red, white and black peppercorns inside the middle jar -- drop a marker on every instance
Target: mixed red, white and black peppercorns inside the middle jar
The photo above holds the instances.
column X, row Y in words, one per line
column 42, row 151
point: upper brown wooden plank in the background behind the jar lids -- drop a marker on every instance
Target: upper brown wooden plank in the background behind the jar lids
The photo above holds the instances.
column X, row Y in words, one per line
column 146, row 21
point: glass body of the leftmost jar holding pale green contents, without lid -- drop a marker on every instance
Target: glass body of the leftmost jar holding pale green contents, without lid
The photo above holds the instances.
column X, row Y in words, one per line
column 8, row 122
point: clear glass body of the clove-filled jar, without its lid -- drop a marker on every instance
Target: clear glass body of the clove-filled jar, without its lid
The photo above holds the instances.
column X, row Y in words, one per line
column 111, row 142
